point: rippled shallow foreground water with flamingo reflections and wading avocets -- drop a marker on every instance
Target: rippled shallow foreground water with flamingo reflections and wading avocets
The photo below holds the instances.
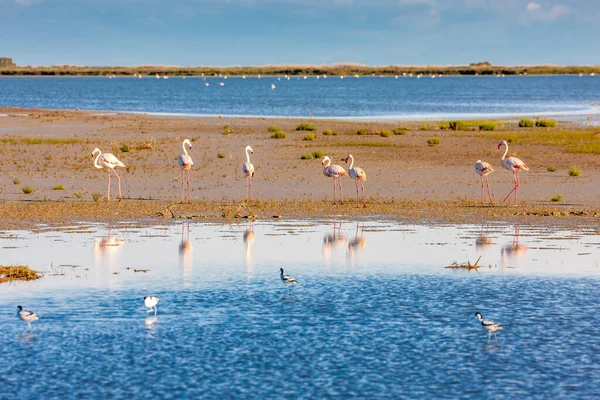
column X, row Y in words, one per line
column 375, row 312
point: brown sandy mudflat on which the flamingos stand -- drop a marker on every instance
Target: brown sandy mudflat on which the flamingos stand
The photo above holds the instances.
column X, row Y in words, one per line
column 407, row 179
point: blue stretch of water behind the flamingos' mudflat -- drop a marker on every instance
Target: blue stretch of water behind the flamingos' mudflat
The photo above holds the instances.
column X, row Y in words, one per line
column 367, row 97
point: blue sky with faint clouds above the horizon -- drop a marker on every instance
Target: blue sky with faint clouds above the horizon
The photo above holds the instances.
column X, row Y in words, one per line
column 259, row 32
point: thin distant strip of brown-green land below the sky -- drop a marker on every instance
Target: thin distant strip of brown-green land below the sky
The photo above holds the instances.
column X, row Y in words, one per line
column 299, row 70
